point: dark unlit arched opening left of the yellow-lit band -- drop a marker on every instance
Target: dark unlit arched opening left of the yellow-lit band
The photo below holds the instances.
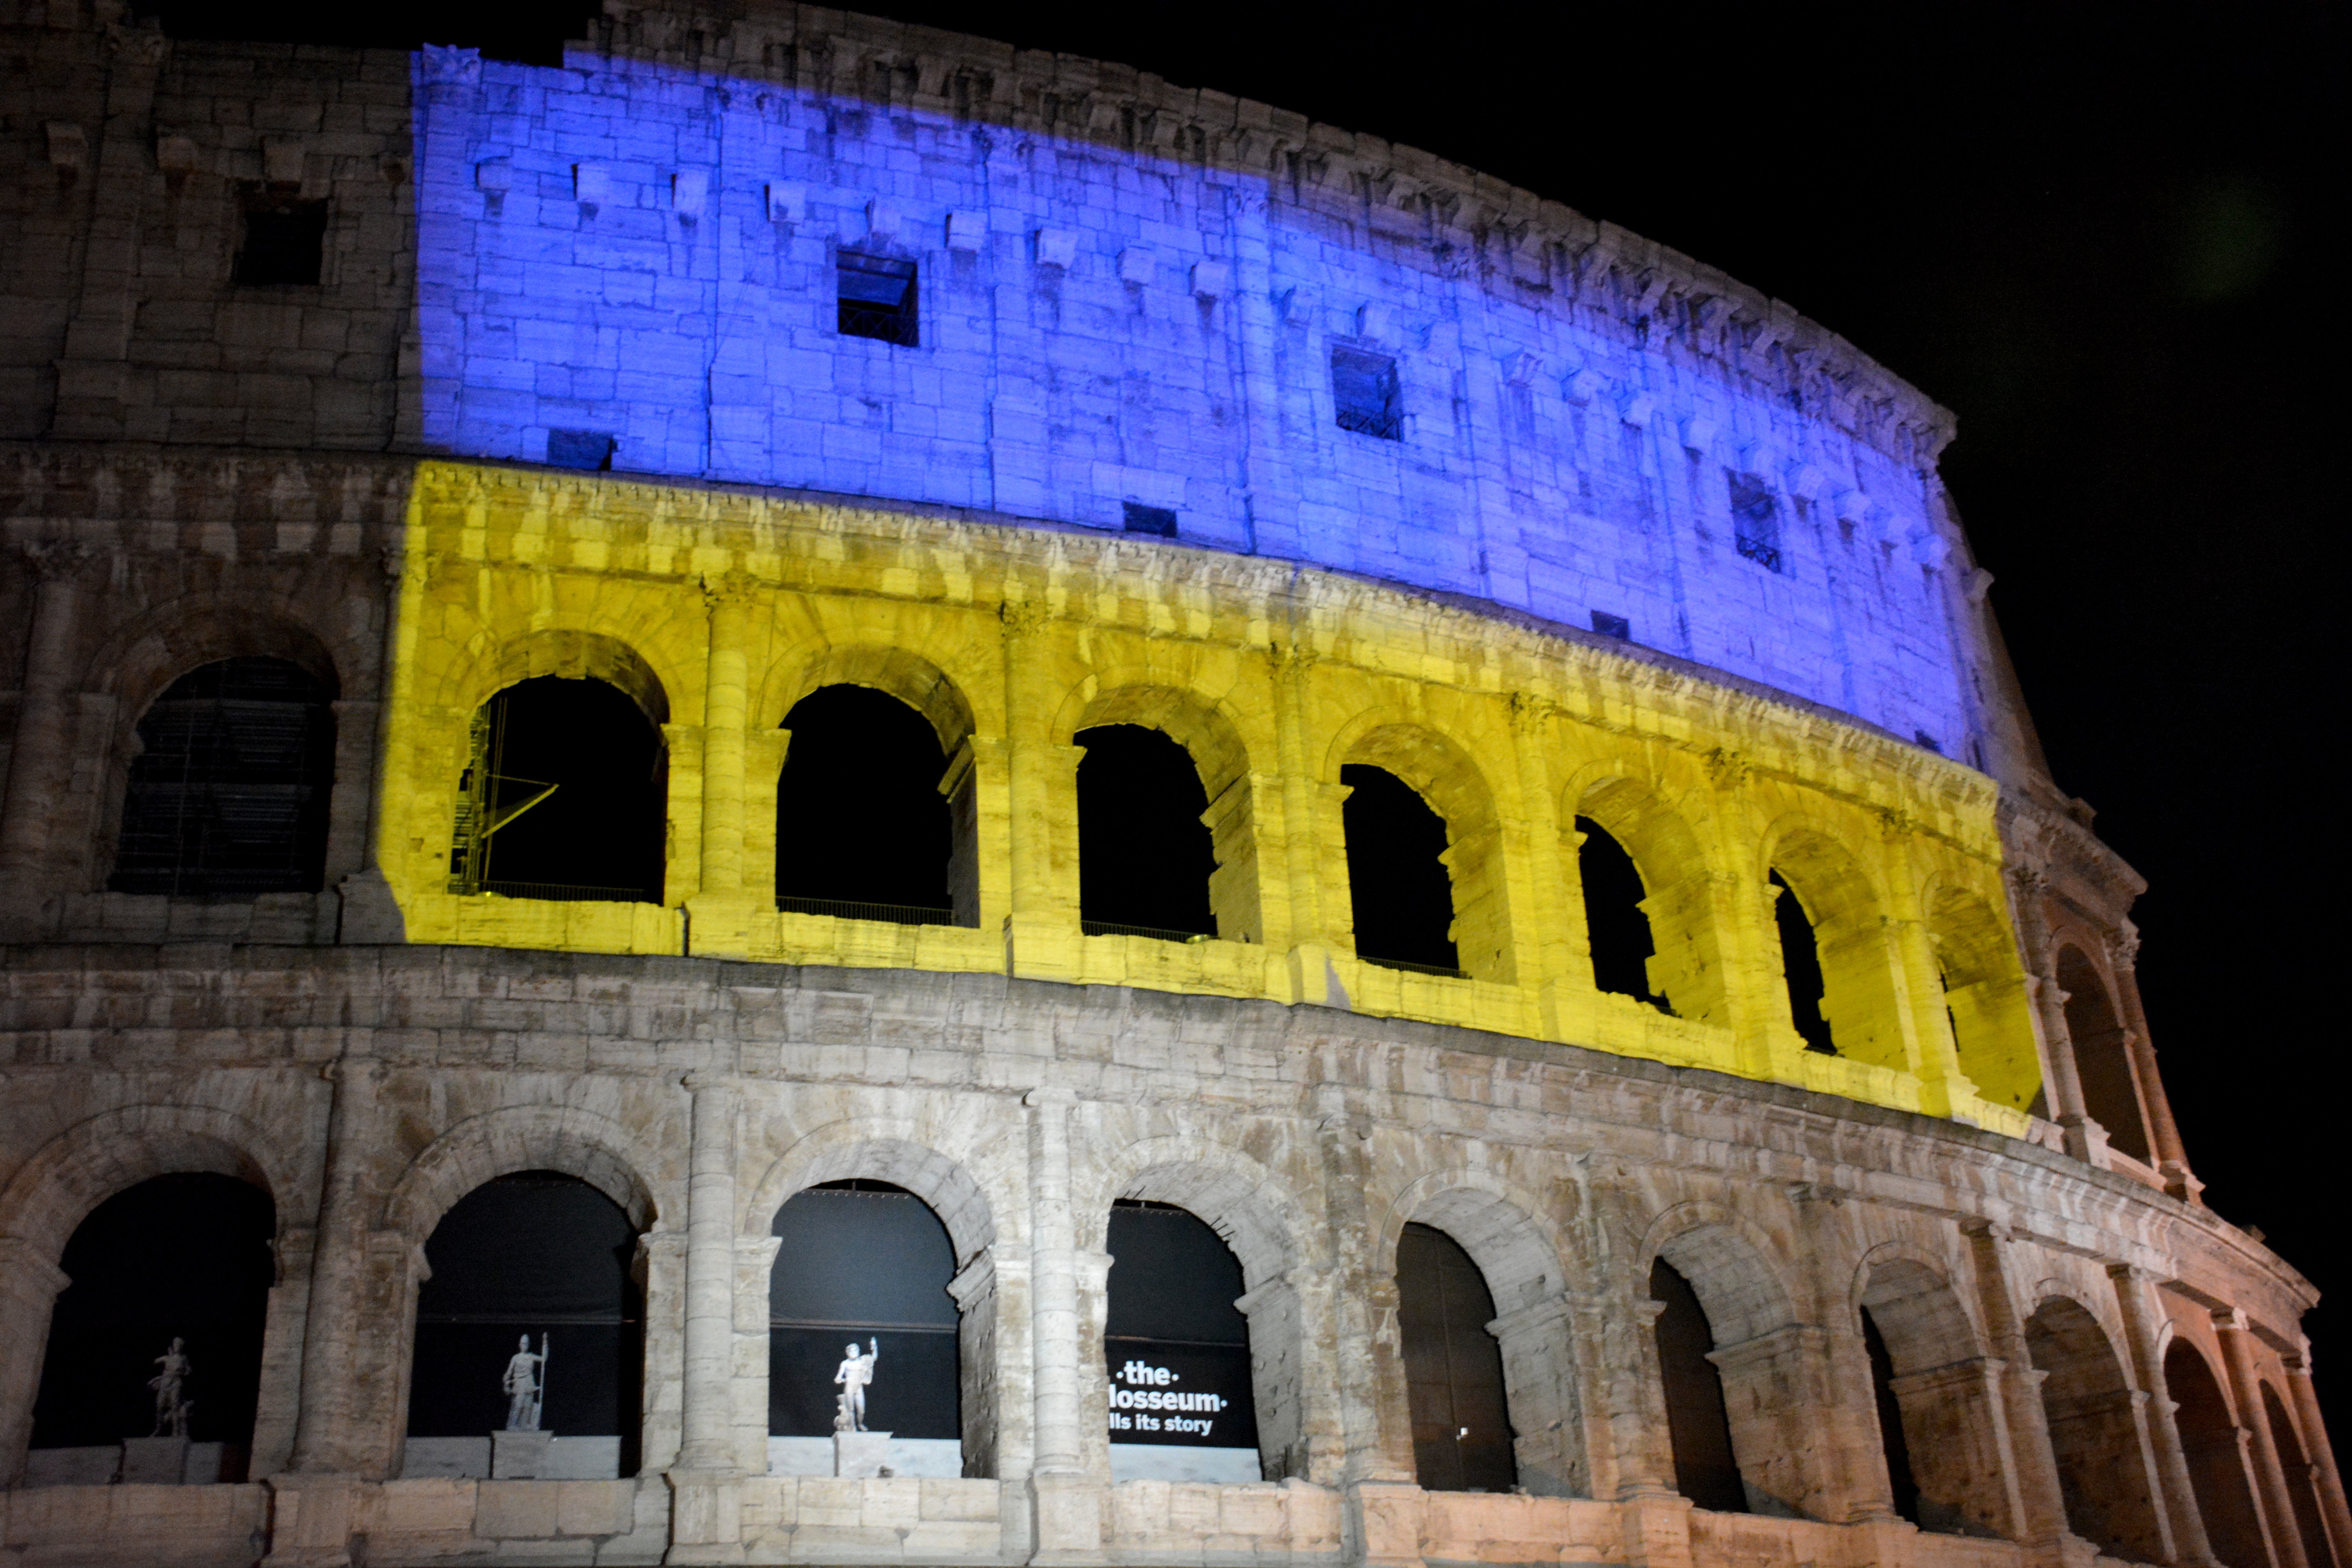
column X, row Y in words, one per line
column 229, row 791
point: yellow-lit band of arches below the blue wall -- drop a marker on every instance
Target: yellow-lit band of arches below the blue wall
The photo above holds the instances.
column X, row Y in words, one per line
column 1288, row 695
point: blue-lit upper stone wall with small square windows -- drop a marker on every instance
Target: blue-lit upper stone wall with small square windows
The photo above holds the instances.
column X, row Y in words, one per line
column 648, row 253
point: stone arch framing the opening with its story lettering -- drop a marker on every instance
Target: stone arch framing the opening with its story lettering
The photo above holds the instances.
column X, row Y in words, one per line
column 1267, row 1228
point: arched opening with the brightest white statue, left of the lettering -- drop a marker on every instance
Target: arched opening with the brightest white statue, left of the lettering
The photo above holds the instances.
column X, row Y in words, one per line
column 860, row 1292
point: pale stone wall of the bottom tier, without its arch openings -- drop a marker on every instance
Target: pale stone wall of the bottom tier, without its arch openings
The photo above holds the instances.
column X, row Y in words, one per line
column 370, row 1090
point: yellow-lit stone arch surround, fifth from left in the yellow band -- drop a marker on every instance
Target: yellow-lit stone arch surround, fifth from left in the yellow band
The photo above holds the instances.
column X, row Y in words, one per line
column 1681, row 890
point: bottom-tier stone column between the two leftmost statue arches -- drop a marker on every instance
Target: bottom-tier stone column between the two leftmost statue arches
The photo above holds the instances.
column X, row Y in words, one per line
column 323, row 1430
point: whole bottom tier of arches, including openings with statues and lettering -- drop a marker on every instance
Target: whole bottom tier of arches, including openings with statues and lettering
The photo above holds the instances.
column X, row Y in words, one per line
column 1920, row 1341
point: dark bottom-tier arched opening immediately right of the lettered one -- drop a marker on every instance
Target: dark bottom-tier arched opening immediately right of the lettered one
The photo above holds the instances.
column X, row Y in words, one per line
column 1452, row 1367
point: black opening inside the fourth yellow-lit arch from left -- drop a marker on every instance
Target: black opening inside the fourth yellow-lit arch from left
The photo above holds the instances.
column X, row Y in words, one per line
column 1398, row 885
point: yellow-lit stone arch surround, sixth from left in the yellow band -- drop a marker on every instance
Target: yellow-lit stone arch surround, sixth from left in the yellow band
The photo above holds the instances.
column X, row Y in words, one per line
column 1850, row 927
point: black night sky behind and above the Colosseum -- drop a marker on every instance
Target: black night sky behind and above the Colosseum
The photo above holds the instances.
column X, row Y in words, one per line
column 2094, row 232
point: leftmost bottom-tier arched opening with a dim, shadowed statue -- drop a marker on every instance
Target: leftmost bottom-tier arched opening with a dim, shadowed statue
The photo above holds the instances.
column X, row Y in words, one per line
column 154, row 1360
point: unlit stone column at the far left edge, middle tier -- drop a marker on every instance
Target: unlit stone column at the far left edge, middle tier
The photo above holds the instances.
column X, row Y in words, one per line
column 41, row 756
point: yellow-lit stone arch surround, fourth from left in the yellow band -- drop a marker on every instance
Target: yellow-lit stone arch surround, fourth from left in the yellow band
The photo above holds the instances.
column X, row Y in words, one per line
column 1448, row 777
